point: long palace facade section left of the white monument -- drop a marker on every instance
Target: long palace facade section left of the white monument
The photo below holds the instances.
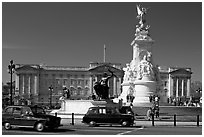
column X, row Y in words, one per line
column 33, row 82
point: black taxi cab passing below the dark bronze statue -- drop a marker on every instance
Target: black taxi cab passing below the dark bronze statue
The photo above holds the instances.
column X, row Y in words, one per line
column 107, row 115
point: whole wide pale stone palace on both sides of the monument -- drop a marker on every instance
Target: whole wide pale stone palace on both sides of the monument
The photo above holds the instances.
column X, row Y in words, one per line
column 42, row 84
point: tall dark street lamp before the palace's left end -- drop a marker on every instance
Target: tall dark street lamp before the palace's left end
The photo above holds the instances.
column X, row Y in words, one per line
column 11, row 68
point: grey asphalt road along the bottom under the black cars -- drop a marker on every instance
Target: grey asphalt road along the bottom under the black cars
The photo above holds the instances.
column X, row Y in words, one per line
column 110, row 130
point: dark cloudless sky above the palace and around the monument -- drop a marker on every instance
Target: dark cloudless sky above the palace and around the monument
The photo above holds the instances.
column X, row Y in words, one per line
column 74, row 34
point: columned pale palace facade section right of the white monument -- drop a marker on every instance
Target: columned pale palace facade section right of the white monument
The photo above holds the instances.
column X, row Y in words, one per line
column 176, row 82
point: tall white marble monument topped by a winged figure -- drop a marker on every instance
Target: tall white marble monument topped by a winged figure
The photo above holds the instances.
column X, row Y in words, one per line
column 141, row 77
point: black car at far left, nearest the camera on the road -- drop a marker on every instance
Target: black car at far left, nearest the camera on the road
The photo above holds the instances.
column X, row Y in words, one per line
column 28, row 116
